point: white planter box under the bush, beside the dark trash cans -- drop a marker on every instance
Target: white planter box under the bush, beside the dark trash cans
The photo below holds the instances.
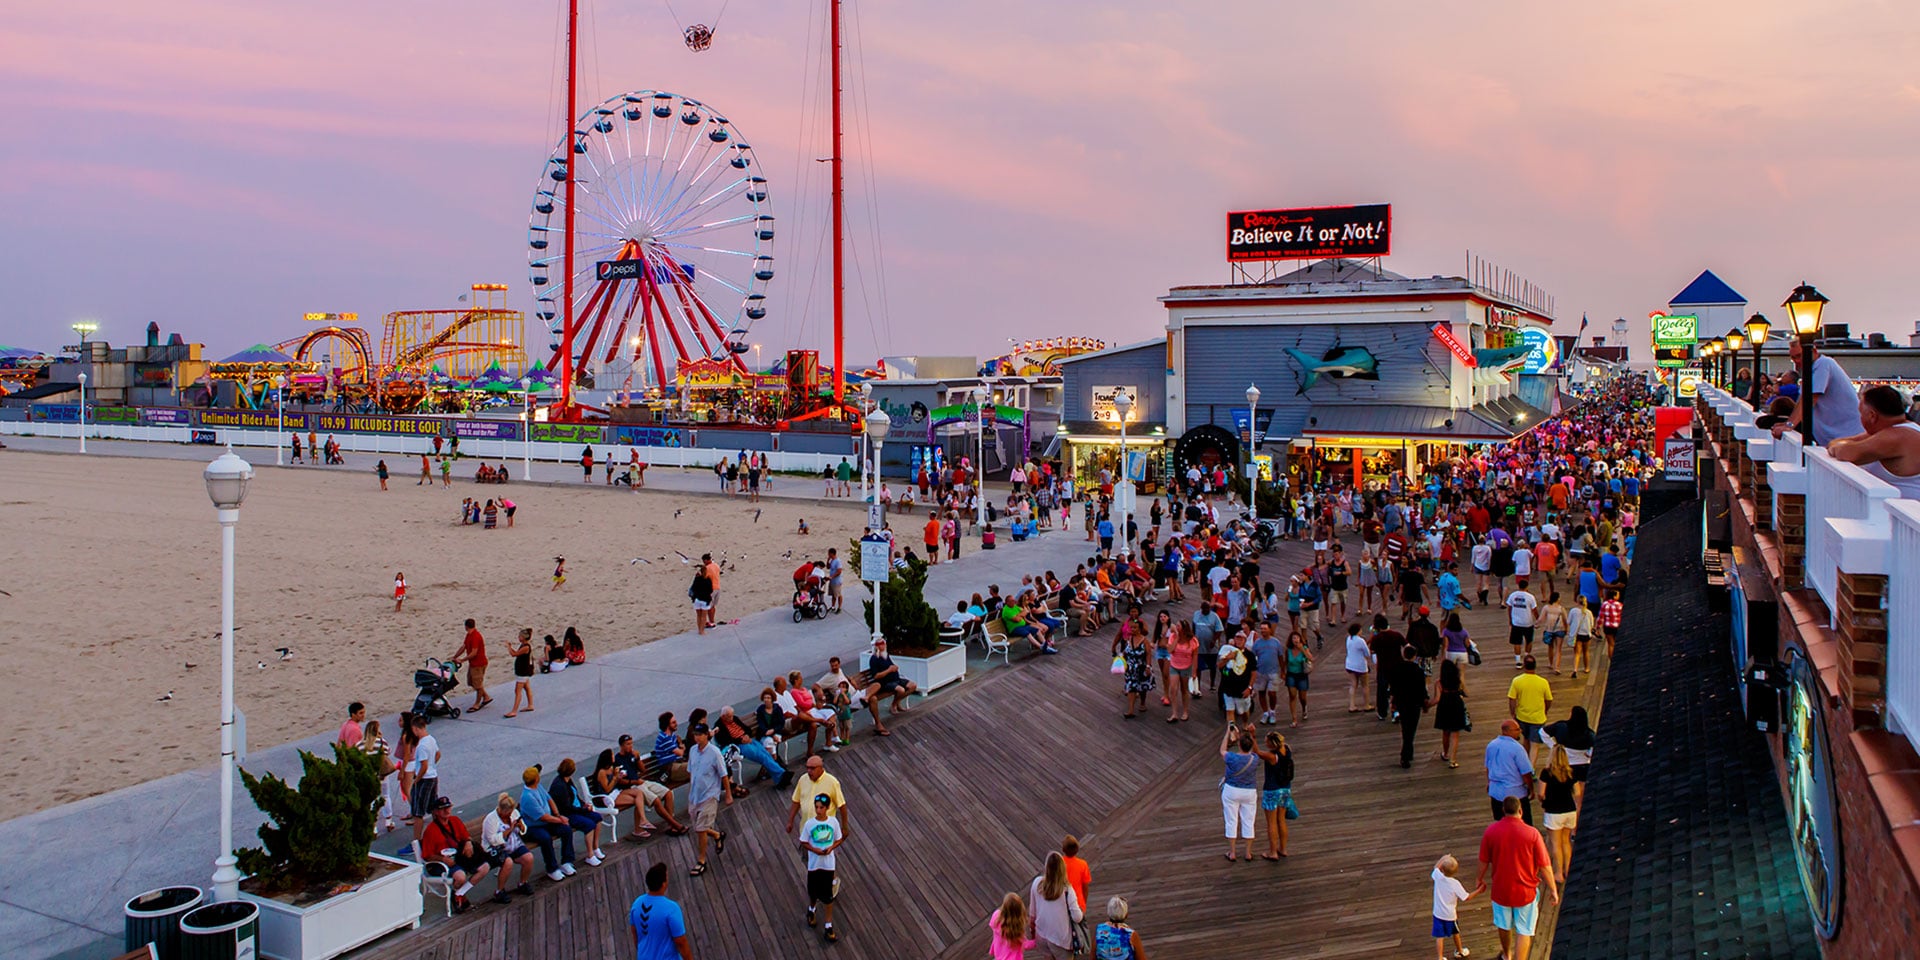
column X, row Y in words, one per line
column 339, row 924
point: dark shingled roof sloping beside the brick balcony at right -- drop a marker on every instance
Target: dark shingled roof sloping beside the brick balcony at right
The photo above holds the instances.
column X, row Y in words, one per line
column 1683, row 846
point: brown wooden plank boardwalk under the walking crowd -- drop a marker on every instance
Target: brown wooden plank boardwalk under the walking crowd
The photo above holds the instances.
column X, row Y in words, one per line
column 978, row 784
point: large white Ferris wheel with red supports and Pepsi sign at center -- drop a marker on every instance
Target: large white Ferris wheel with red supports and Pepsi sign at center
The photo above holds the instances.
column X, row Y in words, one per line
column 675, row 237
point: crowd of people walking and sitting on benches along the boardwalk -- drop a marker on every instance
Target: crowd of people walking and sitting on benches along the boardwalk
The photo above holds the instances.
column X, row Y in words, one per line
column 1541, row 527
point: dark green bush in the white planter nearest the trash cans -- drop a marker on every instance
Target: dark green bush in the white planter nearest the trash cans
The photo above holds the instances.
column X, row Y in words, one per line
column 322, row 832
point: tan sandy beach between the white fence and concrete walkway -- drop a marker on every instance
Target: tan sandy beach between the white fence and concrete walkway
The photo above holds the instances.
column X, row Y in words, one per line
column 114, row 588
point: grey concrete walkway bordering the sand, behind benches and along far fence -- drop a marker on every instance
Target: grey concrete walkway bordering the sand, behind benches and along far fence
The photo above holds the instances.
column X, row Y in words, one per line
column 82, row 863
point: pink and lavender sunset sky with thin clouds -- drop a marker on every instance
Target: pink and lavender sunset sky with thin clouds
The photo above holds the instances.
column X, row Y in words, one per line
column 1034, row 170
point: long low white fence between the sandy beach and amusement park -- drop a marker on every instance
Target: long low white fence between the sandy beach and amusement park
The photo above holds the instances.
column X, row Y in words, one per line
column 381, row 444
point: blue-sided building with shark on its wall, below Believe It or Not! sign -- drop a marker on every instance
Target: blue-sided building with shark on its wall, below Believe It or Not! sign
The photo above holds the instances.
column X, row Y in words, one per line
column 1360, row 372
